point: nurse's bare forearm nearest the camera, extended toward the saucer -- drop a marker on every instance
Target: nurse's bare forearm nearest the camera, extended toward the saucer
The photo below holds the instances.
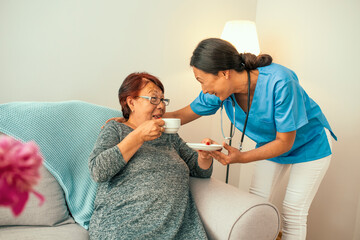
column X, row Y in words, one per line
column 282, row 144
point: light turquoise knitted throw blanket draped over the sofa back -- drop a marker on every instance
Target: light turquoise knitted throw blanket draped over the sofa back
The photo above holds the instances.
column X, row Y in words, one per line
column 66, row 133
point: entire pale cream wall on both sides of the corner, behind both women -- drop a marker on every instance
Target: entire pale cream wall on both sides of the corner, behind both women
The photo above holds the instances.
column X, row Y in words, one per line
column 62, row 50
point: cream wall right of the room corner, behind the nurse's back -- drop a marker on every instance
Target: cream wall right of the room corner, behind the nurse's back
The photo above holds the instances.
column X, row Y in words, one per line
column 319, row 40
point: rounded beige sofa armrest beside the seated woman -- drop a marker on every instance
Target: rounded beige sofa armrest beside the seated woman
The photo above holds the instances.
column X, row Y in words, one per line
column 229, row 213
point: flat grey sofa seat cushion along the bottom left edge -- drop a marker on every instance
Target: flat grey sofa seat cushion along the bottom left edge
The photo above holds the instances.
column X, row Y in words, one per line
column 68, row 231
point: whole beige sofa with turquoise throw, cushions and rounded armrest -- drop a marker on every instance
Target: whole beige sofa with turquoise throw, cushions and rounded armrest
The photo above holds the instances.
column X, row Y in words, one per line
column 66, row 133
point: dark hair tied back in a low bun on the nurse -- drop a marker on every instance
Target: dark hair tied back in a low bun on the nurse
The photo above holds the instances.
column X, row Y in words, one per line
column 213, row 55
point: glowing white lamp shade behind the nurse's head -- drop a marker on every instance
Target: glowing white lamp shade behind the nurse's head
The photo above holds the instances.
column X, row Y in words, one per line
column 242, row 34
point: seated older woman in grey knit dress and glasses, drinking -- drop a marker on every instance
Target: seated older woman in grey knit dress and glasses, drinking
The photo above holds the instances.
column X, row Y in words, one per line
column 143, row 173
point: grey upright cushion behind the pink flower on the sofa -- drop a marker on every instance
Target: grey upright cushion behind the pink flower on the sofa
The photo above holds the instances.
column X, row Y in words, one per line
column 52, row 213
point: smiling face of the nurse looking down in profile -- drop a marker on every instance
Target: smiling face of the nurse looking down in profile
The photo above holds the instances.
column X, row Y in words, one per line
column 216, row 85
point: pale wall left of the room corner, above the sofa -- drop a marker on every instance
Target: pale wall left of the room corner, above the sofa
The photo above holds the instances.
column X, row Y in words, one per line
column 81, row 49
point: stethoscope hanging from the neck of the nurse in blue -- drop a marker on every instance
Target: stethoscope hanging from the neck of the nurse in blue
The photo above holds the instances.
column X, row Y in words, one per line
column 232, row 128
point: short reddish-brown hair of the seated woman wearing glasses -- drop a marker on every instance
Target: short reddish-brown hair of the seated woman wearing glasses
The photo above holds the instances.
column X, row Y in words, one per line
column 132, row 85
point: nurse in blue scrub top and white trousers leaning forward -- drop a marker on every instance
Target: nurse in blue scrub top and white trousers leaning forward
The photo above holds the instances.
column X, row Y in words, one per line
column 289, row 128
